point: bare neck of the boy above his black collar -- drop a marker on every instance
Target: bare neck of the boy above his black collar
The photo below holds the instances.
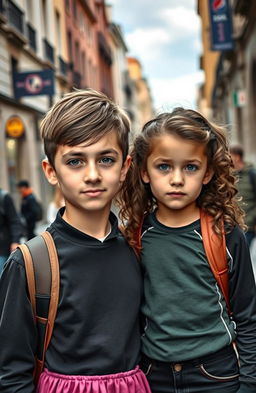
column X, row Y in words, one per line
column 95, row 224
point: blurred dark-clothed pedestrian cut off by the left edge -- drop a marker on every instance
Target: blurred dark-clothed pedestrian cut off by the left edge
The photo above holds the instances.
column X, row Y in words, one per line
column 10, row 227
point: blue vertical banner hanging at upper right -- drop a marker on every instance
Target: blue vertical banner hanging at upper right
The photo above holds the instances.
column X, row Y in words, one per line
column 221, row 25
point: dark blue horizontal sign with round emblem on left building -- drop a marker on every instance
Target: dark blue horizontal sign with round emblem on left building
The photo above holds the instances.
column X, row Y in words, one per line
column 33, row 83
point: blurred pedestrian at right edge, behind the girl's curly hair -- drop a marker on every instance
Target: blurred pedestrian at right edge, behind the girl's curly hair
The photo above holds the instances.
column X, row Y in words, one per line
column 246, row 188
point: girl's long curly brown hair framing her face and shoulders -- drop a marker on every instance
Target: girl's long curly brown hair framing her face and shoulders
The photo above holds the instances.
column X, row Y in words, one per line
column 217, row 198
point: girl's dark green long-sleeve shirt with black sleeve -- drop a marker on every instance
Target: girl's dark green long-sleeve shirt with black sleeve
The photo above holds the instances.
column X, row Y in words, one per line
column 185, row 312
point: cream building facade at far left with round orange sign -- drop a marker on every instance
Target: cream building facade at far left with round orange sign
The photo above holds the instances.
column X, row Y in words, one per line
column 27, row 44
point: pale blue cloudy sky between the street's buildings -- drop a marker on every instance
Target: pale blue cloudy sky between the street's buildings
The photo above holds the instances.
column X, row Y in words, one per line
column 164, row 35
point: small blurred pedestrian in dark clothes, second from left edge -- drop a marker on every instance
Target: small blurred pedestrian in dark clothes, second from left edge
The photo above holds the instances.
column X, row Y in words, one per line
column 29, row 208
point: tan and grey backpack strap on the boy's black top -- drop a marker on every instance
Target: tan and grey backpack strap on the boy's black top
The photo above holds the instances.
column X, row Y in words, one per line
column 42, row 271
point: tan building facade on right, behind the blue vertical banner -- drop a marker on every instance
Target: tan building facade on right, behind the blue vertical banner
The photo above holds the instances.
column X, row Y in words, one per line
column 232, row 95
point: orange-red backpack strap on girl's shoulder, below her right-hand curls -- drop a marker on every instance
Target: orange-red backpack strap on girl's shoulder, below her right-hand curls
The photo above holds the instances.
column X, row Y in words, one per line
column 215, row 250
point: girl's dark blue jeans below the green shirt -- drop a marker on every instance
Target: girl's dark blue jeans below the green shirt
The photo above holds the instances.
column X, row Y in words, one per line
column 218, row 372
